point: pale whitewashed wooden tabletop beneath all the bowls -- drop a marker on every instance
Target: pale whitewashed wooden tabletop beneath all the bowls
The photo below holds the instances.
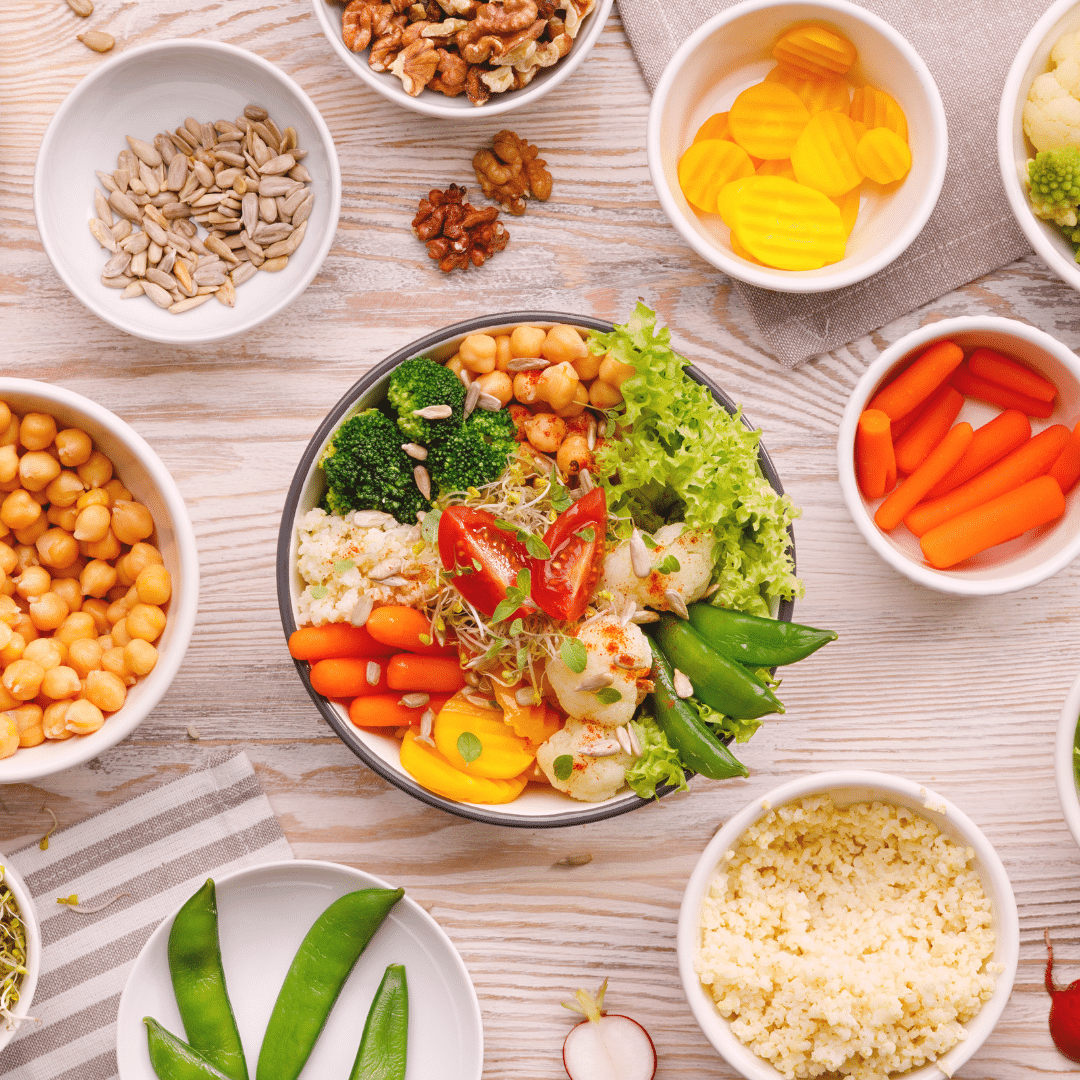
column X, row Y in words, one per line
column 962, row 695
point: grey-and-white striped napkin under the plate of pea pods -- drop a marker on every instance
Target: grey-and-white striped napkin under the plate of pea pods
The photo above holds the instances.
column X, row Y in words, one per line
column 158, row 848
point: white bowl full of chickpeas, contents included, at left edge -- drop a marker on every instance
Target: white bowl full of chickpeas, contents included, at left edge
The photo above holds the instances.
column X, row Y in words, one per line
column 99, row 579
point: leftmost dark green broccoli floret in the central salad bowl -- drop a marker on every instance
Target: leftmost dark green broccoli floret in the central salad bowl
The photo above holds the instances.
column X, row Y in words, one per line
column 367, row 469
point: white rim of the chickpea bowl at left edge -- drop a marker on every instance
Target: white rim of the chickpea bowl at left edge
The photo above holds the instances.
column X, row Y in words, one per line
column 183, row 610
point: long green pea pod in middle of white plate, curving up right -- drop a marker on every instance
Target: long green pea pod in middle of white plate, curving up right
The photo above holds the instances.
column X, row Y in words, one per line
column 319, row 970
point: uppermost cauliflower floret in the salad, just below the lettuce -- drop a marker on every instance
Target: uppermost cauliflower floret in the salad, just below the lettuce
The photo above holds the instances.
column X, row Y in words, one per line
column 695, row 553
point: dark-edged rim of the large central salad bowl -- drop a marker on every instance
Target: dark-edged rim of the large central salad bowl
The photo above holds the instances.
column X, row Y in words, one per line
column 285, row 569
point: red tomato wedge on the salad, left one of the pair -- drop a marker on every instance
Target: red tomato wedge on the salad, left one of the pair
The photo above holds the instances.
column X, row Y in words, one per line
column 485, row 560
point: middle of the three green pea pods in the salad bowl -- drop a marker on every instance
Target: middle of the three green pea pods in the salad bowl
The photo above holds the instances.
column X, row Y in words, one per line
column 720, row 683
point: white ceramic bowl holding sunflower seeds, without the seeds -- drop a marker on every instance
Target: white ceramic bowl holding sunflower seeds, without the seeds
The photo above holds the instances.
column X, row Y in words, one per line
column 153, row 89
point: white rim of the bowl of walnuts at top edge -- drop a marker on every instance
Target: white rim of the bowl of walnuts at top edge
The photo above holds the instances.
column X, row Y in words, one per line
column 503, row 103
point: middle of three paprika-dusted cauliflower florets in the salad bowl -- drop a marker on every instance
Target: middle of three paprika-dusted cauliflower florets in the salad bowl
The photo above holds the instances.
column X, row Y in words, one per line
column 613, row 650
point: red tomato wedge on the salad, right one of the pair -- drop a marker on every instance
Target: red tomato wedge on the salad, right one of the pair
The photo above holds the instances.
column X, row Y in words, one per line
column 563, row 585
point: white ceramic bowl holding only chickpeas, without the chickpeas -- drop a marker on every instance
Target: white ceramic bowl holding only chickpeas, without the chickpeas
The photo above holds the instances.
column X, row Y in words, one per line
column 148, row 480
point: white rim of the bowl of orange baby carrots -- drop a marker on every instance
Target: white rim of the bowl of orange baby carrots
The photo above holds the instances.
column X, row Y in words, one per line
column 941, row 580
